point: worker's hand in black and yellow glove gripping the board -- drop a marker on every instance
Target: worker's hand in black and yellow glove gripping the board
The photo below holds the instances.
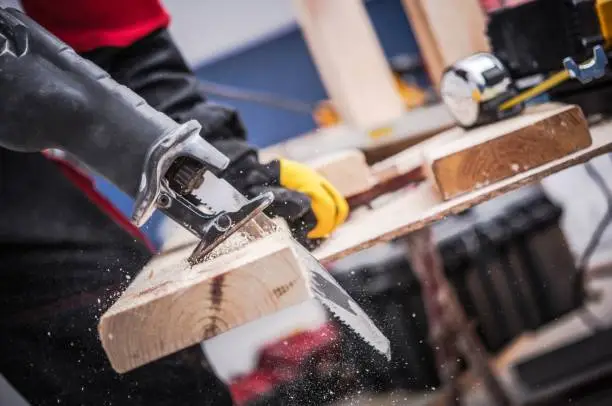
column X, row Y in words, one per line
column 312, row 207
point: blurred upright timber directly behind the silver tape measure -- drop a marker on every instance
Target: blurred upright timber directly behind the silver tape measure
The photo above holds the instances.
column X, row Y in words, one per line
column 446, row 34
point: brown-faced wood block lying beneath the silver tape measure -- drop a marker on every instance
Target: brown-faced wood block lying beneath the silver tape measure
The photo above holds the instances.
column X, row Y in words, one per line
column 460, row 161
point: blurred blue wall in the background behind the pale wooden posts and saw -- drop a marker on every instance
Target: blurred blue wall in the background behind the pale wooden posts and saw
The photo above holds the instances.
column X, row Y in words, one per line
column 282, row 65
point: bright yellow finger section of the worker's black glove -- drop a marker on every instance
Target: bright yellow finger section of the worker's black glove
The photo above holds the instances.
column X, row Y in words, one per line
column 329, row 206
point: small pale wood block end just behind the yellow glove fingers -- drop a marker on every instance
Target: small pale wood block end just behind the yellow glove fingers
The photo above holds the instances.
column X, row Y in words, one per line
column 347, row 170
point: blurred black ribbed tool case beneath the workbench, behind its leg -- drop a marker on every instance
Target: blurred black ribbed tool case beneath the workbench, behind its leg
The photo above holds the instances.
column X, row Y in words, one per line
column 508, row 262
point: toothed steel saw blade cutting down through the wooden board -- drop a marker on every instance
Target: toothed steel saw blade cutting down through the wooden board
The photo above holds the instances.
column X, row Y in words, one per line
column 217, row 194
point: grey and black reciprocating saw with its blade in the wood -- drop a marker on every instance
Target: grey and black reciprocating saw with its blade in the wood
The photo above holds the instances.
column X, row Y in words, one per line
column 55, row 99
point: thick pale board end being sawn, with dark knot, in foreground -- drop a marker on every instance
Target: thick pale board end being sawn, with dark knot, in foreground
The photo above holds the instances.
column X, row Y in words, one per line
column 171, row 305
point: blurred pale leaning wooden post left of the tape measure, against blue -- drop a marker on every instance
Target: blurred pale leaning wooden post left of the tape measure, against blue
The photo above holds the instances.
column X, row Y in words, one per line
column 350, row 61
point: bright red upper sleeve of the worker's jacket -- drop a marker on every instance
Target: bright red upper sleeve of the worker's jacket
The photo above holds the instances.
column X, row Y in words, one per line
column 90, row 24
